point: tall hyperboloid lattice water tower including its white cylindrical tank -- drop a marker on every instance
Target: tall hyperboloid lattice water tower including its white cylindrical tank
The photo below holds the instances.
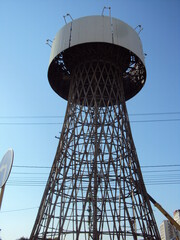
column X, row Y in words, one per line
column 95, row 188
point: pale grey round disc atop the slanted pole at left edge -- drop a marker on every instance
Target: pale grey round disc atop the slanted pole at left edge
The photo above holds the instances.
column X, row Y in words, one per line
column 5, row 167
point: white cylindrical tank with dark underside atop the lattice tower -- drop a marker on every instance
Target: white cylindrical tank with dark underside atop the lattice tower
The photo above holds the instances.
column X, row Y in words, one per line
column 96, row 29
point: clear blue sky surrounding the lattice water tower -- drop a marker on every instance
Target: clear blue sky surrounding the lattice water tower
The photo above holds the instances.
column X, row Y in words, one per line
column 25, row 92
